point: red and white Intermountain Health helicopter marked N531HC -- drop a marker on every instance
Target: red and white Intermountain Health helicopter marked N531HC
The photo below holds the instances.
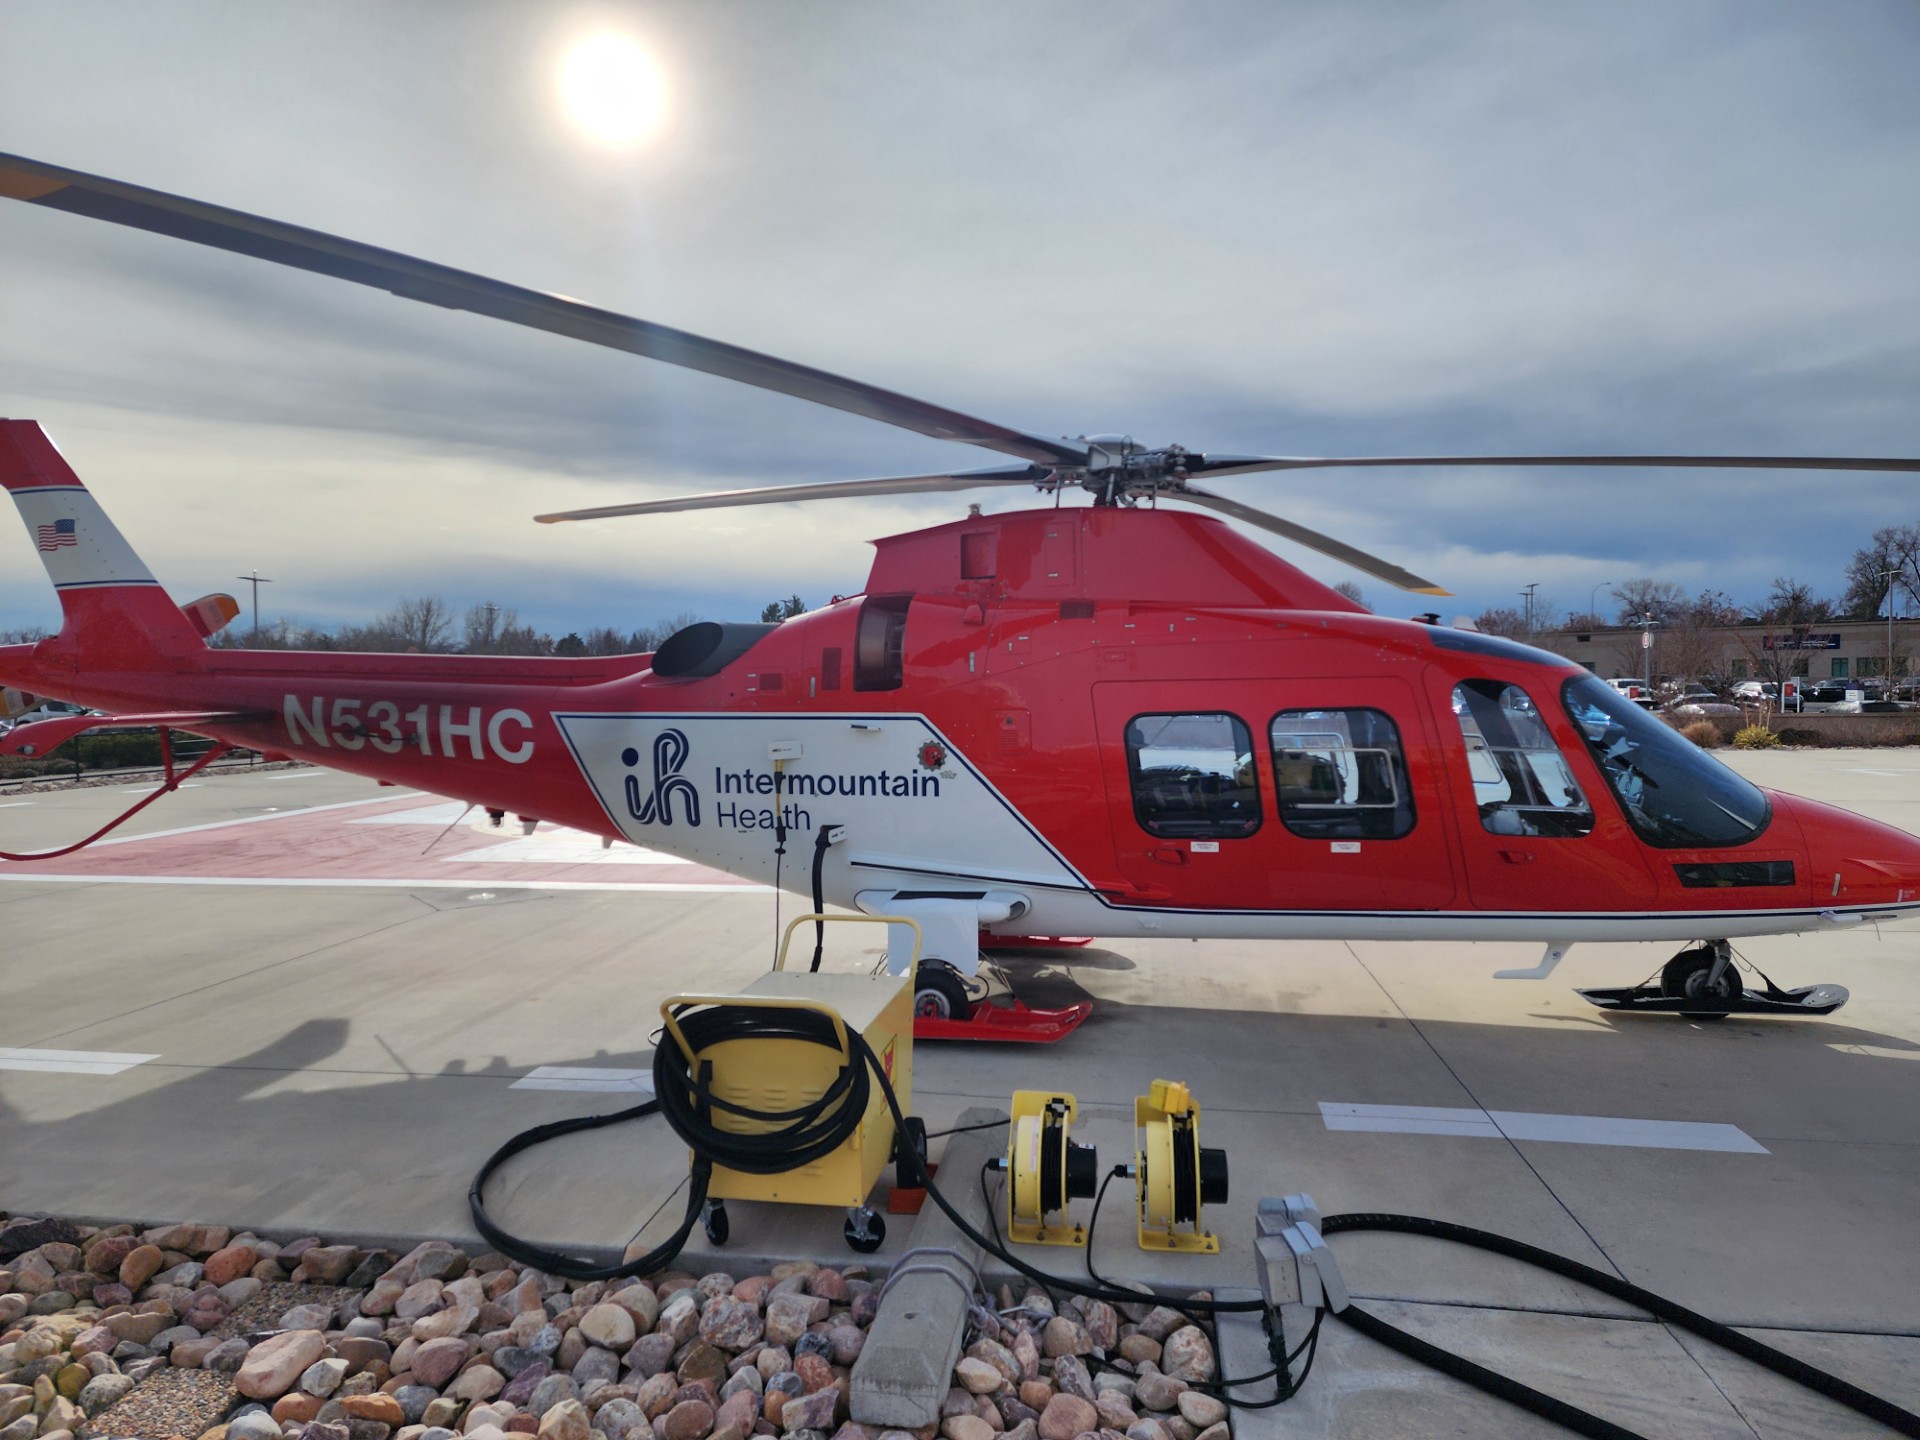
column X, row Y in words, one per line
column 1072, row 721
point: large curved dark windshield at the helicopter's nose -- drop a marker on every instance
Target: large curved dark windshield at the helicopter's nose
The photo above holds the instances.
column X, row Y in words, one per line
column 1673, row 794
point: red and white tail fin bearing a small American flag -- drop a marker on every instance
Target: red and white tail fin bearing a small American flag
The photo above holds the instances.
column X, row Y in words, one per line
column 116, row 613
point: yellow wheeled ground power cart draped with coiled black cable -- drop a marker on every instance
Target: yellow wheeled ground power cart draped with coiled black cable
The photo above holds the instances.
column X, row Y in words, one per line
column 782, row 1049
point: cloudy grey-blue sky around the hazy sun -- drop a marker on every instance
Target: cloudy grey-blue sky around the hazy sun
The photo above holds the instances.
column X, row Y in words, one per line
column 1241, row 228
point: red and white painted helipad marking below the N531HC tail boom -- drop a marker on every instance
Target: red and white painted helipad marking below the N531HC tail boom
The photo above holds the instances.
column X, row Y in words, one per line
column 395, row 842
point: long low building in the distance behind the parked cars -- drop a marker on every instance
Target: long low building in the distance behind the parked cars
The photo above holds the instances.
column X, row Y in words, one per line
column 1719, row 656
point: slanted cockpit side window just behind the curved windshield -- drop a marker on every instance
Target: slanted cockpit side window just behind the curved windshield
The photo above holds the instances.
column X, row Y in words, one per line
column 1522, row 782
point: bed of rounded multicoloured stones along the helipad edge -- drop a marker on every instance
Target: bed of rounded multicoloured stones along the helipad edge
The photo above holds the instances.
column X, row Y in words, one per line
column 201, row 1333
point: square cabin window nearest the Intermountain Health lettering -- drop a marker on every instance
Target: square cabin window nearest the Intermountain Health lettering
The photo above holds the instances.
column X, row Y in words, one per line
column 1193, row 775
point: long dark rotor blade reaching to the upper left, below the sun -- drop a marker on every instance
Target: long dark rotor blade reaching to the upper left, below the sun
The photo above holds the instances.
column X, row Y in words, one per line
column 443, row 285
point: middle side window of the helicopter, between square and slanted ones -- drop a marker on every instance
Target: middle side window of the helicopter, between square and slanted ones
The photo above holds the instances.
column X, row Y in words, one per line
column 1341, row 775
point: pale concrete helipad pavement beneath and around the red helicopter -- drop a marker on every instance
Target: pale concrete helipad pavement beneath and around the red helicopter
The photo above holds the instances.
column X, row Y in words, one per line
column 318, row 1005
